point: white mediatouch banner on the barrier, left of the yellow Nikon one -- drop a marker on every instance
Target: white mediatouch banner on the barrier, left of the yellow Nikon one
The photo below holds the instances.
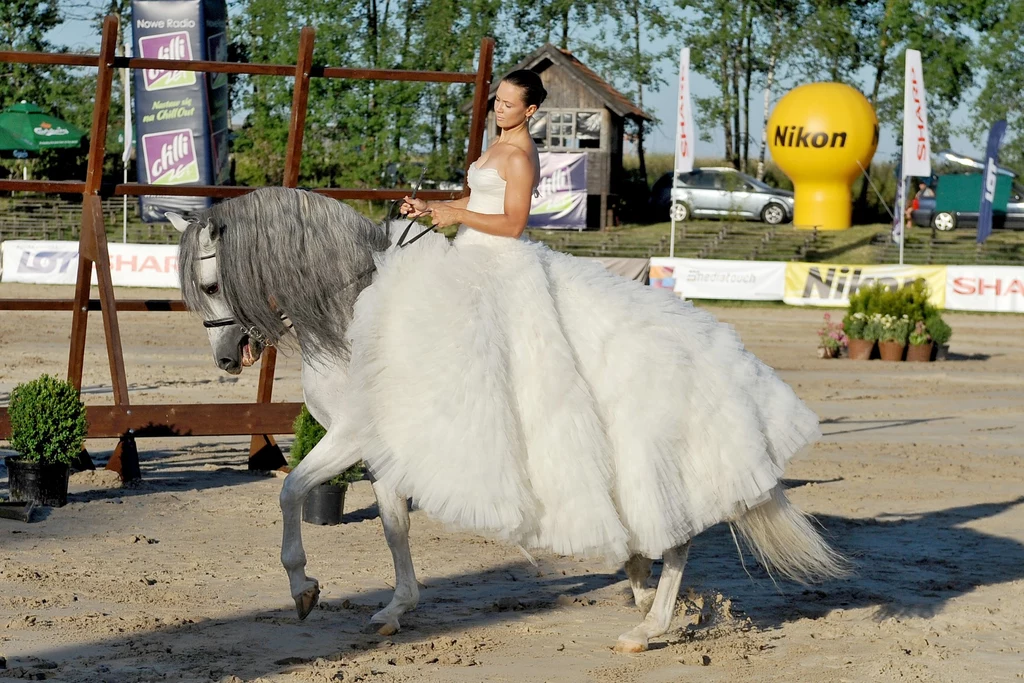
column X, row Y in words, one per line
column 713, row 279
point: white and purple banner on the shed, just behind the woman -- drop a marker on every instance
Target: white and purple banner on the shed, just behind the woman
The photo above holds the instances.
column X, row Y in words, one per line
column 561, row 202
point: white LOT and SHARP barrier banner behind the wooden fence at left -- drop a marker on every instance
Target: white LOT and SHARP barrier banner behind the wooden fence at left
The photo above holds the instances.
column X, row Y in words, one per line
column 45, row 263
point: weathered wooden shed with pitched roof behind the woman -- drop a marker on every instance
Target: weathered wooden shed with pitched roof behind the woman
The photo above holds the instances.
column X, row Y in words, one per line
column 584, row 114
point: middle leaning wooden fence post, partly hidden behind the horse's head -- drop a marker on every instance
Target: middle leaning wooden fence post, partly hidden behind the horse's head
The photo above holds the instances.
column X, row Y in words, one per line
column 264, row 451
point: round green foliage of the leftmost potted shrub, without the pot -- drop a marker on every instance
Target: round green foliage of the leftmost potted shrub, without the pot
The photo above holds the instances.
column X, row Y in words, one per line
column 48, row 421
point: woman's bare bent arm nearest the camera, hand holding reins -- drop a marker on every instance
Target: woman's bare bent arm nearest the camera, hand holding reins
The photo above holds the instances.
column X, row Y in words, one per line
column 511, row 224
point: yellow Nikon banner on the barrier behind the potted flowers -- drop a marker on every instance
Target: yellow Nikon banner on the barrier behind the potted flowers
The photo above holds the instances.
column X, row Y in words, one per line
column 832, row 285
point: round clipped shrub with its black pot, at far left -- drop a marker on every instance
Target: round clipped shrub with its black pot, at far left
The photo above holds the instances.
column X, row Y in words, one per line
column 48, row 430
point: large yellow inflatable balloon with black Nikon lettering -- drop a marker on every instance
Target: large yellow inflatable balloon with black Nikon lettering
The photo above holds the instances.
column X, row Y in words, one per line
column 822, row 136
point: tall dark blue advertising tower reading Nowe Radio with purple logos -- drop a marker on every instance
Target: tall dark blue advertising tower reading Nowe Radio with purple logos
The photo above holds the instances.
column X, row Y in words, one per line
column 181, row 116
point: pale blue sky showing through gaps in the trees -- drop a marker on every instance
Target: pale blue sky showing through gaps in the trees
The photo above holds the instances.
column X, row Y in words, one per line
column 83, row 36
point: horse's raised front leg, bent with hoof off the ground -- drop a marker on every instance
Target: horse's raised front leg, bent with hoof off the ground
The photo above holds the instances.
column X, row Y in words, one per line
column 328, row 459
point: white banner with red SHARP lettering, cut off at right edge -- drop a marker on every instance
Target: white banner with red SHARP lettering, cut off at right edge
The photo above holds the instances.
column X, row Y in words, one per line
column 992, row 288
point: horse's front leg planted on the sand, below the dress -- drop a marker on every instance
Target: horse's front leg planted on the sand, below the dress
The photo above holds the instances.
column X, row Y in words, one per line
column 395, row 518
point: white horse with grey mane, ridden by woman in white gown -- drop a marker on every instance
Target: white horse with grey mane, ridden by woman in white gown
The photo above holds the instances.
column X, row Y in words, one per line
column 237, row 273
